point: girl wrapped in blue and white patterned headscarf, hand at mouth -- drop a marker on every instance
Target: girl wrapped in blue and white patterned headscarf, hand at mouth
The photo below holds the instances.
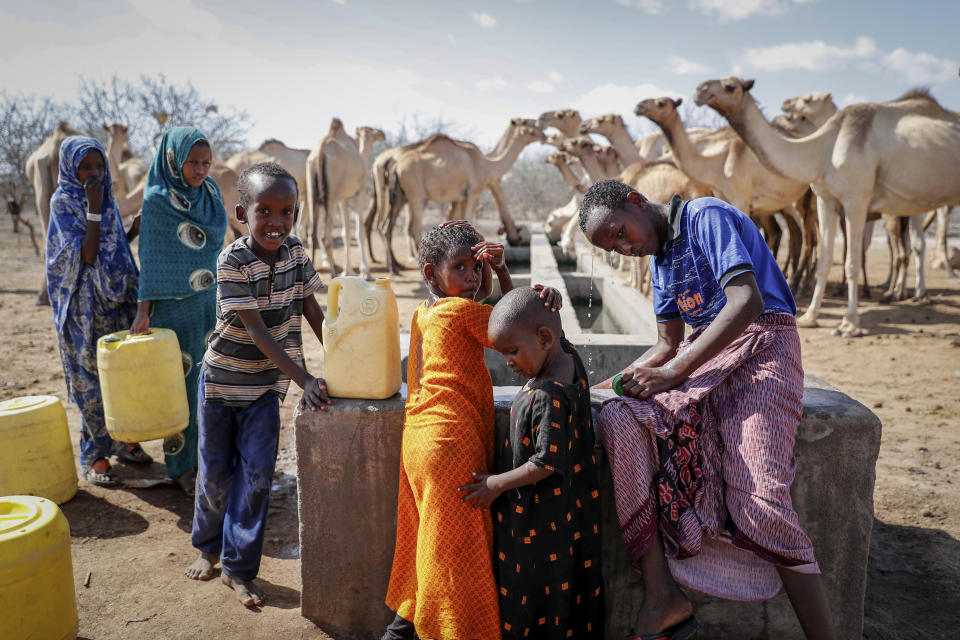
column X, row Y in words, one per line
column 92, row 283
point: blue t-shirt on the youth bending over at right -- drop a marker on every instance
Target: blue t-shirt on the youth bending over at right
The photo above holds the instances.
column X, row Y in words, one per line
column 711, row 243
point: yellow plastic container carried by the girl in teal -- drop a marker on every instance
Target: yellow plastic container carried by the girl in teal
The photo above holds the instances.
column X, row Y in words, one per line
column 141, row 379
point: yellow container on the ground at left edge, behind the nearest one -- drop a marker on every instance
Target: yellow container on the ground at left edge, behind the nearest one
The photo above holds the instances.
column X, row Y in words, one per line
column 36, row 456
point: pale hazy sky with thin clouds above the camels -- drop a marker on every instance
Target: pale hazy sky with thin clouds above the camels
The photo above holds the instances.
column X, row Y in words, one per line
column 292, row 65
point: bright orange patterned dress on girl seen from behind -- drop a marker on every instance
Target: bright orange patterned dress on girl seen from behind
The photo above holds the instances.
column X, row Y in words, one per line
column 442, row 578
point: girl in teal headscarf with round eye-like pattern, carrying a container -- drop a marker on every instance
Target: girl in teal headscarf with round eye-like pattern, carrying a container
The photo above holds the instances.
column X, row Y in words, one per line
column 181, row 233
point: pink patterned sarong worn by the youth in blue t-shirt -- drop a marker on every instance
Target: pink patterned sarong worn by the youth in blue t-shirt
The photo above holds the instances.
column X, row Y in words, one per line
column 708, row 465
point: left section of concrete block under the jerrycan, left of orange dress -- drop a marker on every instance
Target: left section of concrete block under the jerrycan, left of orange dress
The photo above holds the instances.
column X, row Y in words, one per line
column 348, row 461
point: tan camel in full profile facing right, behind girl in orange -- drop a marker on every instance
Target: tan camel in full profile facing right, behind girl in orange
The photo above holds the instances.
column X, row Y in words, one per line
column 446, row 170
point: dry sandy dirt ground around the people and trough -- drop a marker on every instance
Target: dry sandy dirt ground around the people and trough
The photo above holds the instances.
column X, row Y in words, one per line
column 135, row 543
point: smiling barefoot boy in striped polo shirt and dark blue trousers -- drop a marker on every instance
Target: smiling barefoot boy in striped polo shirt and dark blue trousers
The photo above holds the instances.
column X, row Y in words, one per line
column 265, row 285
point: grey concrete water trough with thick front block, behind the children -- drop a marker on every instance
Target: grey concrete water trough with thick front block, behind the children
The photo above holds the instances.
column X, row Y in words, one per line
column 348, row 463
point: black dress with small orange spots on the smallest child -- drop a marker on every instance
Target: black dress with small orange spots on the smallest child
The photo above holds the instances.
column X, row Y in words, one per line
column 547, row 535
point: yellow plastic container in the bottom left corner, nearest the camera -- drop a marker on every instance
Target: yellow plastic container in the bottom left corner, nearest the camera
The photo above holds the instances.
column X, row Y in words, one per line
column 36, row 573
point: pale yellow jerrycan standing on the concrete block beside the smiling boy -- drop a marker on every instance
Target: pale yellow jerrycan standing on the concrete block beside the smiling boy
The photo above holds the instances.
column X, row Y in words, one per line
column 361, row 339
